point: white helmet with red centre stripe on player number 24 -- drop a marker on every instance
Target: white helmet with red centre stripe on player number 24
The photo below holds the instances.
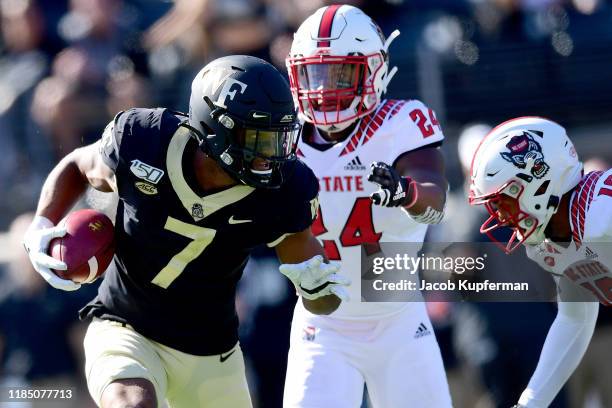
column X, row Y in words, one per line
column 338, row 67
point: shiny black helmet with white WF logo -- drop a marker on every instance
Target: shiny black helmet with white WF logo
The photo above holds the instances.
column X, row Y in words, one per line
column 242, row 114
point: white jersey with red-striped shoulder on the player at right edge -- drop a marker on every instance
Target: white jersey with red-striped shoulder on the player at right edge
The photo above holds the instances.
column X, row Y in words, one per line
column 587, row 261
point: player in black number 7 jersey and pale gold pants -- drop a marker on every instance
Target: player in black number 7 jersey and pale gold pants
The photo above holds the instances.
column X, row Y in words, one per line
column 196, row 194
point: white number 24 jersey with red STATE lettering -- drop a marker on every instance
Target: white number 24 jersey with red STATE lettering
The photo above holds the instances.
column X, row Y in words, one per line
column 347, row 219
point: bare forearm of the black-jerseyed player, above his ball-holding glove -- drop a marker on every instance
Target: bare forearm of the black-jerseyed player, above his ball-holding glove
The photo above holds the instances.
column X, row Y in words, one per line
column 61, row 190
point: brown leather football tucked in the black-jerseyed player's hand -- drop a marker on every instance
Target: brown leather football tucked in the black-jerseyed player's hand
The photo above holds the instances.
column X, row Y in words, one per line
column 87, row 248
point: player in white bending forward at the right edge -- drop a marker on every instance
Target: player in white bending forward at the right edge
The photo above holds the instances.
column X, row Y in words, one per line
column 527, row 174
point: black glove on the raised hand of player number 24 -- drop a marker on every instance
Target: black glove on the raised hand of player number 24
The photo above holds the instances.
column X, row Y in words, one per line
column 394, row 190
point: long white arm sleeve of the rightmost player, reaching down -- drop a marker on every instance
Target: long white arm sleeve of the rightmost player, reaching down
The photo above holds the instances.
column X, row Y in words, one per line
column 566, row 343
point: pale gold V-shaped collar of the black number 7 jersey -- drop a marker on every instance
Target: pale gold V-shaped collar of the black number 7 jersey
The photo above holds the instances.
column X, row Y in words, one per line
column 198, row 207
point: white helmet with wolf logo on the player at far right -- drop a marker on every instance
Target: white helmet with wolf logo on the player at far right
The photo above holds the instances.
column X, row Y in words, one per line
column 519, row 172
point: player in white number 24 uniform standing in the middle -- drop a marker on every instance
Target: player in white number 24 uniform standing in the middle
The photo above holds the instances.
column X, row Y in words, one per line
column 338, row 70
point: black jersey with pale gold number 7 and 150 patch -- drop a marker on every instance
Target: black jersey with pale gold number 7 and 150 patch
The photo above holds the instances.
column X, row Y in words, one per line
column 179, row 255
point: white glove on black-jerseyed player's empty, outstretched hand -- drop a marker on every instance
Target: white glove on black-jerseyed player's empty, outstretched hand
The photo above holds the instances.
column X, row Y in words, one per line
column 314, row 278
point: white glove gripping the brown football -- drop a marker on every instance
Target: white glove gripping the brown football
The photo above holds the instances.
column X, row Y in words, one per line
column 36, row 242
